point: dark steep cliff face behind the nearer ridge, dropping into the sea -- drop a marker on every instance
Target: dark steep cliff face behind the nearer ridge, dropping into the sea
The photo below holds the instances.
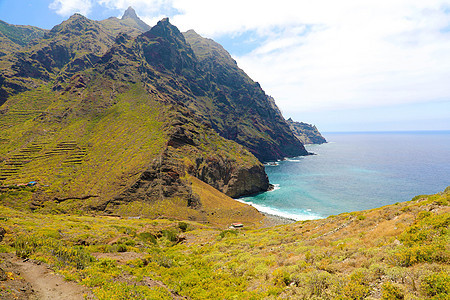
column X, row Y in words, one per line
column 236, row 106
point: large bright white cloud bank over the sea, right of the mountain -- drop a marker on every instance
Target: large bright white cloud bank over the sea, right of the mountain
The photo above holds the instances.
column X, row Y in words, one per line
column 361, row 56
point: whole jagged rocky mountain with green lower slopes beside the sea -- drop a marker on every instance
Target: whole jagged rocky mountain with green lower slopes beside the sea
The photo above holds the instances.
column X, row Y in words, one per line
column 157, row 123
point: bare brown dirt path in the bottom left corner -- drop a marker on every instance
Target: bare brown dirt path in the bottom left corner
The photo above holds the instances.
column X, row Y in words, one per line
column 37, row 282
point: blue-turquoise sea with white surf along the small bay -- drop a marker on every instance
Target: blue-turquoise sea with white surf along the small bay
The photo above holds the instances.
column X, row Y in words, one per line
column 356, row 171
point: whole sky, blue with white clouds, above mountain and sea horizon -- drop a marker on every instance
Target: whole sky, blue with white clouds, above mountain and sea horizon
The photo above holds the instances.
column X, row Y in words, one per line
column 346, row 65
